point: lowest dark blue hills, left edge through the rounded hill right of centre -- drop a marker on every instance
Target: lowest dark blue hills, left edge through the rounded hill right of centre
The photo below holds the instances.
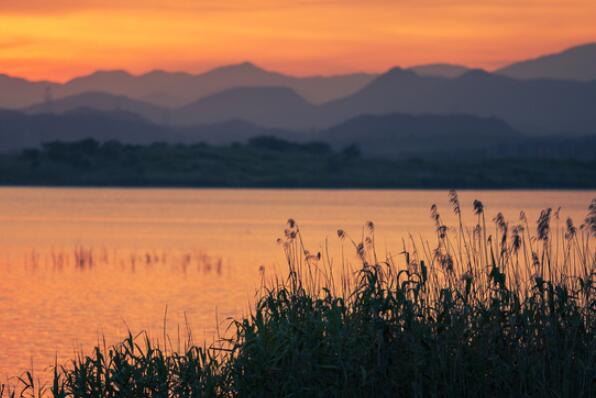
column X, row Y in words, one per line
column 376, row 135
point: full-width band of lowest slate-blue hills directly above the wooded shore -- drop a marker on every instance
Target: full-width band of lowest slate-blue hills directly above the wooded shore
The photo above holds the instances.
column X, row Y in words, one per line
column 391, row 136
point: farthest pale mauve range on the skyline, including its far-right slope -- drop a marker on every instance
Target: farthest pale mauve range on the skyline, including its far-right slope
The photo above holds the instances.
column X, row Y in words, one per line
column 176, row 89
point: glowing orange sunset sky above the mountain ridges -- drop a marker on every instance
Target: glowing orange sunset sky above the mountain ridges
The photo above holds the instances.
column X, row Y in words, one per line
column 62, row 38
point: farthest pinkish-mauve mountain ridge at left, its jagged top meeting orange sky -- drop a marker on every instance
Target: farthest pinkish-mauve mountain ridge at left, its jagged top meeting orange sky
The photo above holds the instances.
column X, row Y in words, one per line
column 175, row 89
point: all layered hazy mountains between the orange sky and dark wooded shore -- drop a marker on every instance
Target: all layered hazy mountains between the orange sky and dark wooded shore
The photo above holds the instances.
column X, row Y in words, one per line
column 451, row 104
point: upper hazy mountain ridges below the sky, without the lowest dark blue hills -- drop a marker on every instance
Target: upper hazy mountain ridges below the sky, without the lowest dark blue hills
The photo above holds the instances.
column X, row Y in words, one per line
column 556, row 105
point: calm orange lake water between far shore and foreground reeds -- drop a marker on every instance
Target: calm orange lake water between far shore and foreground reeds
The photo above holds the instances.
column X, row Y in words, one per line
column 80, row 264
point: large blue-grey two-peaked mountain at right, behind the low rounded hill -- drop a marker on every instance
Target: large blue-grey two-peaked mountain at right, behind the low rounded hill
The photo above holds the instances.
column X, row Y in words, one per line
column 530, row 106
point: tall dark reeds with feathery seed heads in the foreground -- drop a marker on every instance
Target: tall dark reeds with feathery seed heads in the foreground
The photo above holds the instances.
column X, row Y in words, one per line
column 497, row 309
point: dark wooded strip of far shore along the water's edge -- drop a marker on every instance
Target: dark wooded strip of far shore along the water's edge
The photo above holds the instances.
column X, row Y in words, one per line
column 273, row 162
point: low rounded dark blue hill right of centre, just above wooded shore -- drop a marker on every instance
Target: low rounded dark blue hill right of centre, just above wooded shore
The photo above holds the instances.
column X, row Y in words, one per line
column 400, row 135
